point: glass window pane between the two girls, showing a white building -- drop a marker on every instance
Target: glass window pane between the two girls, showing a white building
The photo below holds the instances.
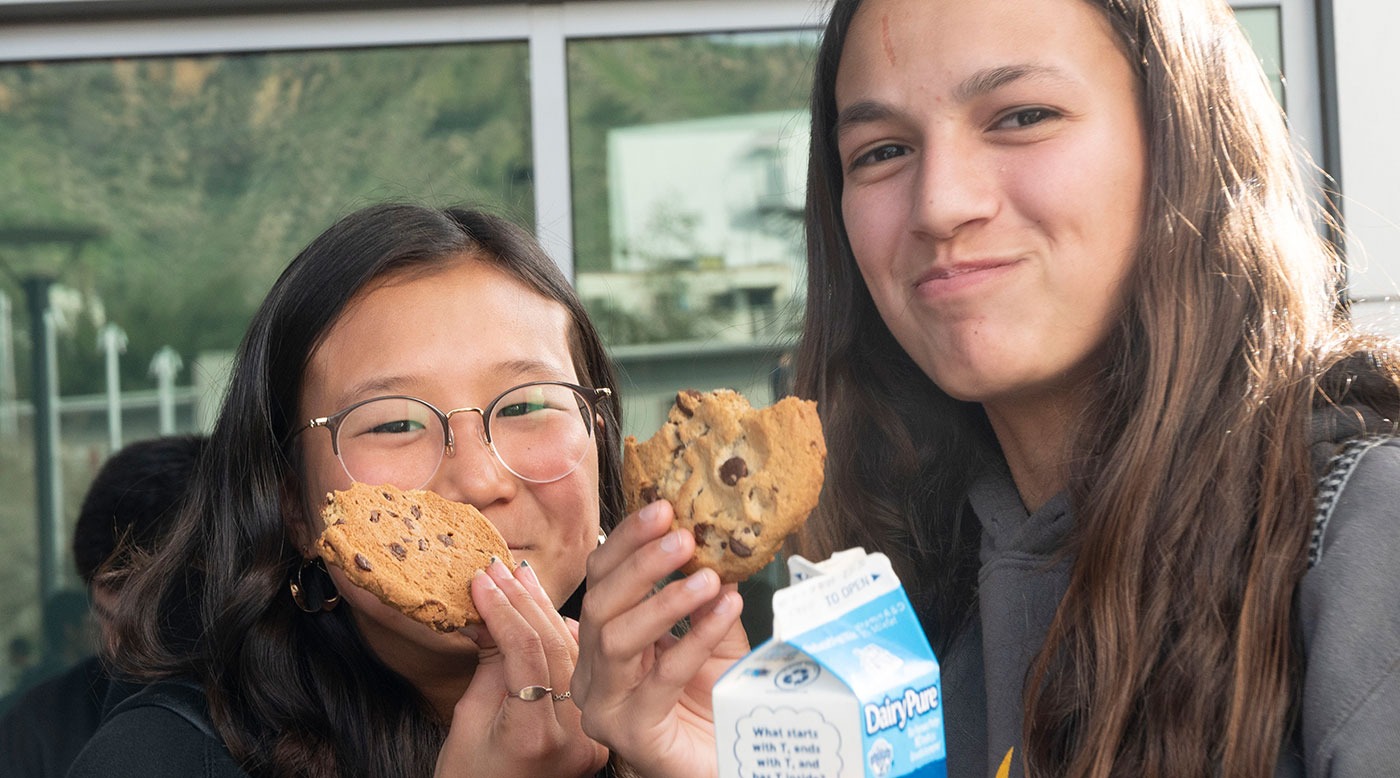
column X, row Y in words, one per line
column 689, row 167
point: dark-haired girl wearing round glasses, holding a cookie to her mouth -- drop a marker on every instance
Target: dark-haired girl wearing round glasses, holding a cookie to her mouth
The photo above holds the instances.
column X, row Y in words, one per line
column 435, row 349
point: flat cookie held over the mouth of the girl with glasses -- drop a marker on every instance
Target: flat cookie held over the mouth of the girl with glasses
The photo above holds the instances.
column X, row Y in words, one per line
column 416, row 551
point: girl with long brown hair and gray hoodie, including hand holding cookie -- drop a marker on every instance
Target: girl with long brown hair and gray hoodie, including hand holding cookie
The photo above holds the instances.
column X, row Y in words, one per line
column 1074, row 339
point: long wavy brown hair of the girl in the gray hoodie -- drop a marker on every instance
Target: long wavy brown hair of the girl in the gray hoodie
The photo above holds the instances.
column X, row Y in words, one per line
column 1174, row 651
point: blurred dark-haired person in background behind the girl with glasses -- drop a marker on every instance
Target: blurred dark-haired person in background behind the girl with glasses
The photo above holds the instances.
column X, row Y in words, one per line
column 128, row 509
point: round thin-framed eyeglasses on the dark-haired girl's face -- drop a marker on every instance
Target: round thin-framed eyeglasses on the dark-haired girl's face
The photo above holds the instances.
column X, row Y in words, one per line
column 540, row 432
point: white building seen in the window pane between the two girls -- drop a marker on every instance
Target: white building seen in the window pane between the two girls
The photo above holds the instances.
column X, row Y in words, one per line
column 706, row 219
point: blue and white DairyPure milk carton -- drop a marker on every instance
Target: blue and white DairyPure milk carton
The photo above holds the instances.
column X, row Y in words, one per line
column 846, row 688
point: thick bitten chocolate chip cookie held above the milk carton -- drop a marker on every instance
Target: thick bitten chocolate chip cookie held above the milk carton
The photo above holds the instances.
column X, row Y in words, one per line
column 740, row 479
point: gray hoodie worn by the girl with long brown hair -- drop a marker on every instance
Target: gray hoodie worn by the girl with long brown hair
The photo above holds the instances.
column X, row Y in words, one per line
column 1349, row 605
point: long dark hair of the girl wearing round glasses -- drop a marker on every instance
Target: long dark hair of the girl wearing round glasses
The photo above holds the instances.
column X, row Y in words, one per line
column 293, row 695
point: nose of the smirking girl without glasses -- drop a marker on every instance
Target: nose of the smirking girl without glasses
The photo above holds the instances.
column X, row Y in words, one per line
column 955, row 190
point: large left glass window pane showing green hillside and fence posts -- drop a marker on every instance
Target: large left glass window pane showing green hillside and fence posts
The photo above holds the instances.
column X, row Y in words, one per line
column 166, row 195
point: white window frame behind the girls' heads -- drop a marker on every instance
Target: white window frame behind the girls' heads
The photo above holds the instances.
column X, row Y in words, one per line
column 547, row 29
